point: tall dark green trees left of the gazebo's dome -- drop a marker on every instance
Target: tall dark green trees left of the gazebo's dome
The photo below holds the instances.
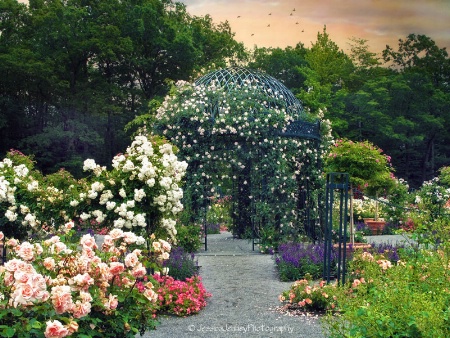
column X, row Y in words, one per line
column 76, row 73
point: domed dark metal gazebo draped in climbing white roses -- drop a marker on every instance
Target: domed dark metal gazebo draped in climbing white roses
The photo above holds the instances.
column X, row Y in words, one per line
column 257, row 198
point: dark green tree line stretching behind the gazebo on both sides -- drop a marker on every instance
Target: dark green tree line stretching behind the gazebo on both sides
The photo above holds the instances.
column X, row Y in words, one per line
column 74, row 73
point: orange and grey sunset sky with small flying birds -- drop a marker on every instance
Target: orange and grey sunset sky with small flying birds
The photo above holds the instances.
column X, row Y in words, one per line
column 380, row 22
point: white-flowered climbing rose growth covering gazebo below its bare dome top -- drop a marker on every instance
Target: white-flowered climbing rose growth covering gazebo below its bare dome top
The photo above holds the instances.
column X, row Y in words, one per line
column 229, row 138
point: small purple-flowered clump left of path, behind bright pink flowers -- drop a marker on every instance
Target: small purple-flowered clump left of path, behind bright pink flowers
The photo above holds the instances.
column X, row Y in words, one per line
column 181, row 265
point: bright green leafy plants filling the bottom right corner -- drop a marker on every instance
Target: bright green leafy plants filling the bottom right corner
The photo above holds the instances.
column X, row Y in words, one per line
column 385, row 300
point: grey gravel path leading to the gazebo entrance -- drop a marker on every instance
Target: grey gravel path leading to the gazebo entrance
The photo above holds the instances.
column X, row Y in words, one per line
column 245, row 289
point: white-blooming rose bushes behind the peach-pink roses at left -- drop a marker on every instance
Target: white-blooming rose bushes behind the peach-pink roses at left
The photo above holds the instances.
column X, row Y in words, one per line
column 141, row 193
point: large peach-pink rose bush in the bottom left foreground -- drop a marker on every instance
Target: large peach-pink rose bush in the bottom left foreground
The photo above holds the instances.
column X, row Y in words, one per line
column 57, row 289
